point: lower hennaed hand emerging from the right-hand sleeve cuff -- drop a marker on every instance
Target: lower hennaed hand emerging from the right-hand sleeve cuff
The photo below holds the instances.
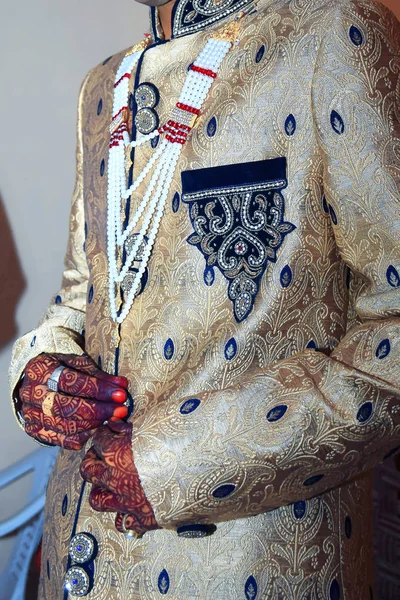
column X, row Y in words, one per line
column 110, row 468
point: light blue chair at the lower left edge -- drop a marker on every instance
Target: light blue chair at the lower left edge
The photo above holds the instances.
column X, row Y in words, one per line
column 29, row 520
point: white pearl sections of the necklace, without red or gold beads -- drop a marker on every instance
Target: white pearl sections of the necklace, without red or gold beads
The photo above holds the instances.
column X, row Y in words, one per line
column 163, row 161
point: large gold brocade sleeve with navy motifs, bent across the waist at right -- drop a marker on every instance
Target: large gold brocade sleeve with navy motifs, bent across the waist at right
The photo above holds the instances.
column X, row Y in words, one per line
column 310, row 422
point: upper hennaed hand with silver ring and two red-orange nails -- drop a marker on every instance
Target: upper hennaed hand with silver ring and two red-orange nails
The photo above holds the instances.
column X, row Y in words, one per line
column 86, row 398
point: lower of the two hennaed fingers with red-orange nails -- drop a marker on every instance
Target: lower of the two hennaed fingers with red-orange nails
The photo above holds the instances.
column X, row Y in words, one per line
column 72, row 407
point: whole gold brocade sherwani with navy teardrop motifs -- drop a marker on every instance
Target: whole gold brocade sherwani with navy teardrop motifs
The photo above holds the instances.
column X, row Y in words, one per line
column 263, row 350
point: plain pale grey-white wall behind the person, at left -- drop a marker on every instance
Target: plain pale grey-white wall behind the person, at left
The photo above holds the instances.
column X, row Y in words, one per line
column 46, row 48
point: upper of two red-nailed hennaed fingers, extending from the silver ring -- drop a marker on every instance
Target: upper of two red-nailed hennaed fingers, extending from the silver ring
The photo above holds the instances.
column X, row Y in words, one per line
column 76, row 383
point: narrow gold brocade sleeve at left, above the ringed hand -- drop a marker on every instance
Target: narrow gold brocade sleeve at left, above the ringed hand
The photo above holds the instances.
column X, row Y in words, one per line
column 61, row 328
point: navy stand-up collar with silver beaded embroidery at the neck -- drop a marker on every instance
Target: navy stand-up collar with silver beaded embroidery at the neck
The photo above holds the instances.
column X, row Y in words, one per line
column 191, row 16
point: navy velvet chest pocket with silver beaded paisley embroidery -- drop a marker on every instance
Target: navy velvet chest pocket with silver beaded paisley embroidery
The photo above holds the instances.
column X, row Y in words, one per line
column 237, row 214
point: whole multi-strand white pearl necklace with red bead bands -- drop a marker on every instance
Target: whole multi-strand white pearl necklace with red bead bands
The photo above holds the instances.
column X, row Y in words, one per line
column 162, row 164
